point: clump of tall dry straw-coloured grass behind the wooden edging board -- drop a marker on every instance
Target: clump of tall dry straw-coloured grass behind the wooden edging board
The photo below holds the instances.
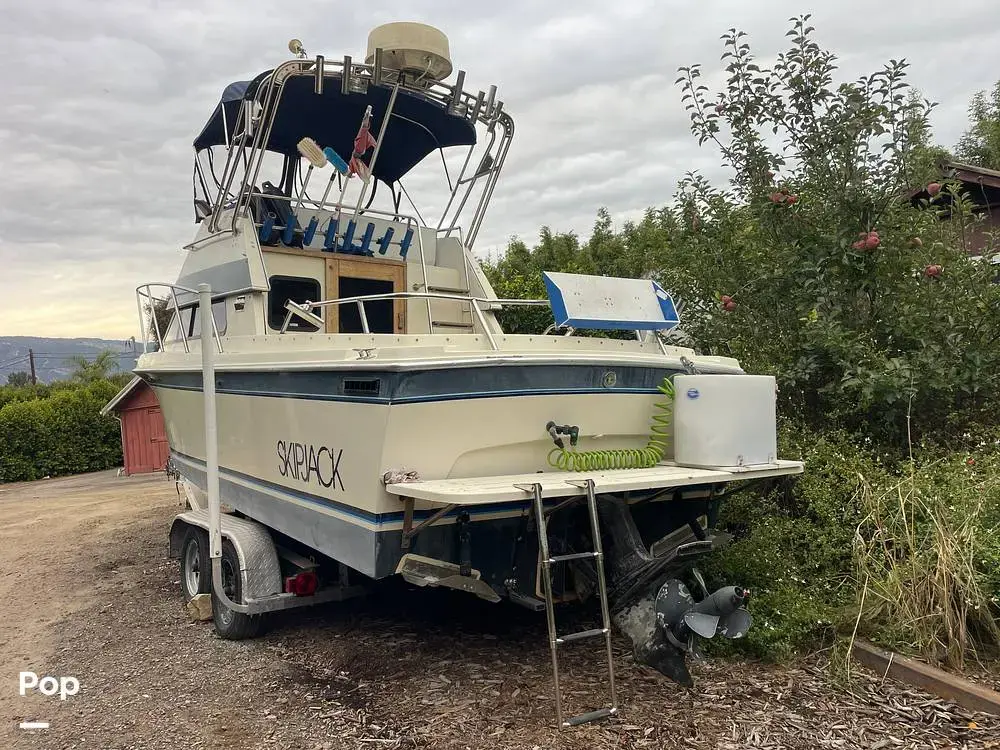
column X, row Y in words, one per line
column 928, row 552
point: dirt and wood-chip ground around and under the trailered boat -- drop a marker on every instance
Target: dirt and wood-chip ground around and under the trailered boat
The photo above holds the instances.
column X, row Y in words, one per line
column 86, row 591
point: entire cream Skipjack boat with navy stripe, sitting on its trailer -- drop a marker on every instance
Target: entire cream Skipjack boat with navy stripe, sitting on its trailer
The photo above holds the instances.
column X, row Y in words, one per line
column 370, row 417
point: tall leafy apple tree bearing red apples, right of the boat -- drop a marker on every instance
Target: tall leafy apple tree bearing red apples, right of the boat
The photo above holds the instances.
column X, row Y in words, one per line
column 813, row 264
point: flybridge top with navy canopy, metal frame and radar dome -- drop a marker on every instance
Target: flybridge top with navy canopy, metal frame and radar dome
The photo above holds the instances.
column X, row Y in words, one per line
column 398, row 92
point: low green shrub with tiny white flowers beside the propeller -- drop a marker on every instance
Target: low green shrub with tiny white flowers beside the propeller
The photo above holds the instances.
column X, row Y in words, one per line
column 792, row 545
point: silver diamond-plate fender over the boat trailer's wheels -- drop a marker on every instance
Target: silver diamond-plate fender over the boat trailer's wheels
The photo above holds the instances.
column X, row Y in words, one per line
column 260, row 569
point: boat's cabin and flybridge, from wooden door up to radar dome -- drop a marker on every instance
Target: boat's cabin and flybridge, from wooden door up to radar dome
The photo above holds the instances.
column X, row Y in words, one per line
column 300, row 197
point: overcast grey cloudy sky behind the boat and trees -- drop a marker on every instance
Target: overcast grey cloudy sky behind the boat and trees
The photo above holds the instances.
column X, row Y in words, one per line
column 103, row 98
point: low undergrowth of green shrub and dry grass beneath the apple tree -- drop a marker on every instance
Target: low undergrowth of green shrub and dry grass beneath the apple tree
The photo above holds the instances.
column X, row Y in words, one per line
column 906, row 554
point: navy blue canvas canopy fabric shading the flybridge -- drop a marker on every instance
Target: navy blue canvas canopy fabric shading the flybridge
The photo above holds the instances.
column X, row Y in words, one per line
column 419, row 124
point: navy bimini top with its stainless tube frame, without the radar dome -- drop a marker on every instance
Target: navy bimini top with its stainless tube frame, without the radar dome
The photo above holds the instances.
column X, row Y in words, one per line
column 326, row 101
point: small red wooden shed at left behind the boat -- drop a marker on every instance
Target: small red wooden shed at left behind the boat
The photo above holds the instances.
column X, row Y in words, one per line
column 144, row 436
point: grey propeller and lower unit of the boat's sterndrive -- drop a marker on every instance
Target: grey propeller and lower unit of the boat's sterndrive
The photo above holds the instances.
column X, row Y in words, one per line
column 679, row 619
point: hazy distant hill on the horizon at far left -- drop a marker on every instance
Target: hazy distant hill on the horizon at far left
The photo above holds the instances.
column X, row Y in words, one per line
column 52, row 356
